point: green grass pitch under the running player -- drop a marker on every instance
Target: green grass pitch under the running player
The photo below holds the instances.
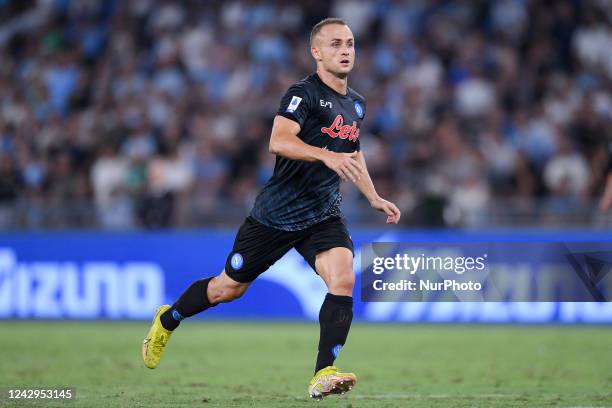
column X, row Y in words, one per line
column 269, row 365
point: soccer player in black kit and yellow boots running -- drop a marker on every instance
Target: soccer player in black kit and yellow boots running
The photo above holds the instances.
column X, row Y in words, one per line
column 315, row 137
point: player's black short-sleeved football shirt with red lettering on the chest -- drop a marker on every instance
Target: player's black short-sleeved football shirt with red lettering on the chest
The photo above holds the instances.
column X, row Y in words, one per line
column 300, row 194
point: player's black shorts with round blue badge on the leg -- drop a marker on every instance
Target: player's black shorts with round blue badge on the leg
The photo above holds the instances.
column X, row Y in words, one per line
column 258, row 246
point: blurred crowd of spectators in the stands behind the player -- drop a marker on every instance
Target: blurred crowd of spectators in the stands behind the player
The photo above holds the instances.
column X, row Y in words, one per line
column 153, row 113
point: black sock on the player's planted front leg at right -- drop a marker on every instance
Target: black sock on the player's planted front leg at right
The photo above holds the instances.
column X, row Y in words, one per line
column 335, row 319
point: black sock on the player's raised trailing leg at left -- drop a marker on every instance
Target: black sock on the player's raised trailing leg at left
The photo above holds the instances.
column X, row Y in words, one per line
column 193, row 301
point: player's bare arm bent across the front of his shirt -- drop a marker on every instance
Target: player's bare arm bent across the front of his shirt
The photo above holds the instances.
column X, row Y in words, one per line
column 285, row 142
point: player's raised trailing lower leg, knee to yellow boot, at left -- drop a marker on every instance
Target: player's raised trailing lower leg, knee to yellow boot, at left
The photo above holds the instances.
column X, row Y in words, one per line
column 201, row 295
